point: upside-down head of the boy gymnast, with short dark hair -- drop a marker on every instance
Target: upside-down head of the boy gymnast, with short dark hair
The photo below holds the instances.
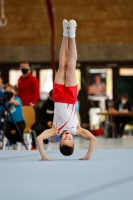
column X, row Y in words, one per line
column 66, row 143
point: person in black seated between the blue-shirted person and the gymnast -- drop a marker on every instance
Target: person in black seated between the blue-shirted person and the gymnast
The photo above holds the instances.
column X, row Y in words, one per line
column 45, row 119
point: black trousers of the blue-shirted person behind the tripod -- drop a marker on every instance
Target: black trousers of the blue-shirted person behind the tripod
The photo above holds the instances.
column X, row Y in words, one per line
column 13, row 138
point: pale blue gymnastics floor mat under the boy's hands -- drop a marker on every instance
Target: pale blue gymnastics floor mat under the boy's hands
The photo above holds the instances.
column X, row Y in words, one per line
column 108, row 175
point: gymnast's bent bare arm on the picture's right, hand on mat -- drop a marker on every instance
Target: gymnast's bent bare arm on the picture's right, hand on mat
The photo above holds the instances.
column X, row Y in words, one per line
column 87, row 135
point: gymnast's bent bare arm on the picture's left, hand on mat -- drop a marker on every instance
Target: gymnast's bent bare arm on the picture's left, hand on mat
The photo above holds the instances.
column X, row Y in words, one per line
column 45, row 135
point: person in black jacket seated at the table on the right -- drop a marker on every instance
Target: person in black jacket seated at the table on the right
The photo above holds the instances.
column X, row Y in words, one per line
column 122, row 105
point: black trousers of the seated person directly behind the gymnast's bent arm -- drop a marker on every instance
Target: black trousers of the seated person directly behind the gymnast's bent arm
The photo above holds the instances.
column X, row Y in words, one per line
column 39, row 128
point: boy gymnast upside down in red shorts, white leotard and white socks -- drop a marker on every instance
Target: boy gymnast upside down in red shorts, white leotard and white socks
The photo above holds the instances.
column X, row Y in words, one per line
column 65, row 122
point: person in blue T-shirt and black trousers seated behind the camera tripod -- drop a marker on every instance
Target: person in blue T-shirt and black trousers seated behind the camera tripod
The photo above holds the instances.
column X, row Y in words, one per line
column 15, row 106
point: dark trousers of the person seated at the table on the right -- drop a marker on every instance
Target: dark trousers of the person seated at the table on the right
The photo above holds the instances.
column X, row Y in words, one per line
column 120, row 123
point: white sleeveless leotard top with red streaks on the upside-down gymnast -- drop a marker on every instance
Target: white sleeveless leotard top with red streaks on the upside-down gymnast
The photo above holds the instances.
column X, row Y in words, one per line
column 65, row 118
